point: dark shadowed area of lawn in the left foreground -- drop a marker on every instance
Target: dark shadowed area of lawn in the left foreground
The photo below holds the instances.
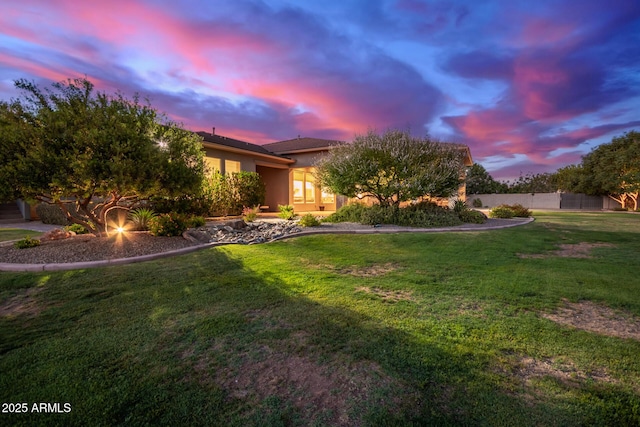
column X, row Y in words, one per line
column 201, row 340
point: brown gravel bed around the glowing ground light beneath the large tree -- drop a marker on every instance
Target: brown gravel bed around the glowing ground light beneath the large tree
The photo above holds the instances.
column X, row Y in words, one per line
column 88, row 248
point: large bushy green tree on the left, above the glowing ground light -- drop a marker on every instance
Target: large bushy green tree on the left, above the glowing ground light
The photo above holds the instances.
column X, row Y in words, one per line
column 90, row 152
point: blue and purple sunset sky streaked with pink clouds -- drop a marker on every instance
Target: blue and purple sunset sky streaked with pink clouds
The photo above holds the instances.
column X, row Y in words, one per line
column 529, row 85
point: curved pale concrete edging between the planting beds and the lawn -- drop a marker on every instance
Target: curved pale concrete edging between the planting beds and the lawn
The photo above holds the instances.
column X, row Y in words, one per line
column 13, row 267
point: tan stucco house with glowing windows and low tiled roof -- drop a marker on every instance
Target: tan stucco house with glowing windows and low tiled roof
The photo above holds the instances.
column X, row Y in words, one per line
column 286, row 168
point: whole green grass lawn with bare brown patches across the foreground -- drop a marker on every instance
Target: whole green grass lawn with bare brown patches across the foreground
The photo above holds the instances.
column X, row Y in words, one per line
column 528, row 326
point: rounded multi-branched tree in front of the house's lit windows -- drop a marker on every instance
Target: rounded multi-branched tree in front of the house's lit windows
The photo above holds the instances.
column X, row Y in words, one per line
column 392, row 167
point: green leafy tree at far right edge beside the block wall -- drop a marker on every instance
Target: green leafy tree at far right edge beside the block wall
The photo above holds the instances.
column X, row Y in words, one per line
column 613, row 169
